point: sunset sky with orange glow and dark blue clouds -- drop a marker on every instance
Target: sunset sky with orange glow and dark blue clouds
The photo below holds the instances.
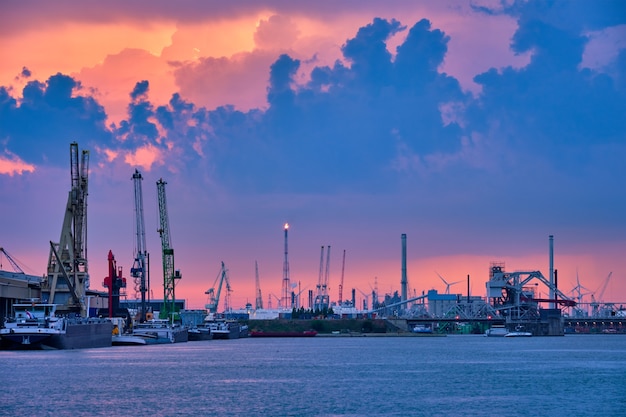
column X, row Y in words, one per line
column 476, row 128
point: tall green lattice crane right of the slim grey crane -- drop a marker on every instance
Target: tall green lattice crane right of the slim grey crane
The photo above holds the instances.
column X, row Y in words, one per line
column 170, row 275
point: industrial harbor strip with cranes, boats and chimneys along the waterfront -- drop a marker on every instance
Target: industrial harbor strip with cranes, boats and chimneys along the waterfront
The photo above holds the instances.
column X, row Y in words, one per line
column 61, row 311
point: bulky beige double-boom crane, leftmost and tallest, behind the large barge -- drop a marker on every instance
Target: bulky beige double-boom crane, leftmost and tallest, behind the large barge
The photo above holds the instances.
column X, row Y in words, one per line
column 68, row 272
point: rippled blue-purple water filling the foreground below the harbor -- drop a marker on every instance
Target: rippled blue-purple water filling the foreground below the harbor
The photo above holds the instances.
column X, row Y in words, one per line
column 574, row 375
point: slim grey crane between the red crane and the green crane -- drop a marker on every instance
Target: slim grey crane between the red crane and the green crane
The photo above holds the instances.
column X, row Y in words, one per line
column 139, row 270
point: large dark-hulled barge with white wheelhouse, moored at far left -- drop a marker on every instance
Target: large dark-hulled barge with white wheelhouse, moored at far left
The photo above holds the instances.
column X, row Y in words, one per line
column 35, row 325
